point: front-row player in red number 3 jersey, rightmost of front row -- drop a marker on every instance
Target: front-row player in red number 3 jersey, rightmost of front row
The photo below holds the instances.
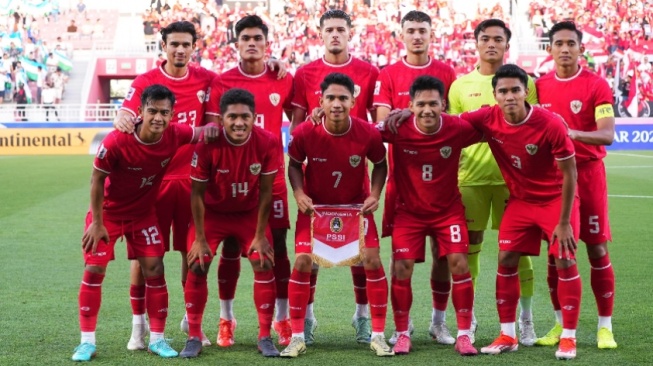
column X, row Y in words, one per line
column 537, row 161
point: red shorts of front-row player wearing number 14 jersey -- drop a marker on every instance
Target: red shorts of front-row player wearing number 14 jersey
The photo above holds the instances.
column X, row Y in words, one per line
column 241, row 226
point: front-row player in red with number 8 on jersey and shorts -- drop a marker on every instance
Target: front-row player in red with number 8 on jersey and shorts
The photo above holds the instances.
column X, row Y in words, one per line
column 426, row 152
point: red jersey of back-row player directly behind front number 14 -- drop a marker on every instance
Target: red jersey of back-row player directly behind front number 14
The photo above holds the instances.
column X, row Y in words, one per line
column 272, row 96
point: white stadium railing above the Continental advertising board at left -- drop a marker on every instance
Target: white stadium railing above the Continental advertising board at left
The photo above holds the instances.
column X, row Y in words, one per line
column 65, row 113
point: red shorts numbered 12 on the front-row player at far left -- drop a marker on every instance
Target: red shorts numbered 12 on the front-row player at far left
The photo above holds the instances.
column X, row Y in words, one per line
column 143, row 239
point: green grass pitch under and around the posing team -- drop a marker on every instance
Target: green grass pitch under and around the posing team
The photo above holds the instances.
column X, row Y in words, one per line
column 43, row 201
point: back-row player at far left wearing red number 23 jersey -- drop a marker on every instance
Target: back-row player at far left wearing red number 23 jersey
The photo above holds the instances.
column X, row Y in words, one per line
column 190, row 86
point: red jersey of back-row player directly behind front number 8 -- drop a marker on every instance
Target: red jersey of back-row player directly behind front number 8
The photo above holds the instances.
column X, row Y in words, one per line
column 392, row 88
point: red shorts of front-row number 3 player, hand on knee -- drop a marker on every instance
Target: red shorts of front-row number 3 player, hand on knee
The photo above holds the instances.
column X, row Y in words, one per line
column 524, row 225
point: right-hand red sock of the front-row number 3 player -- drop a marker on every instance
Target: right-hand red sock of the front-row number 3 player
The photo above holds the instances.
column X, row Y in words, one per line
column 569, row 294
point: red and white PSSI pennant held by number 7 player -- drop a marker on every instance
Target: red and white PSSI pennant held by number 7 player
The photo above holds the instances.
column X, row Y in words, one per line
column 337, row 235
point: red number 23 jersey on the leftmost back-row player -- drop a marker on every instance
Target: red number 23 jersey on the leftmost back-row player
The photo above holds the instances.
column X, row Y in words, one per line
column 191, row 92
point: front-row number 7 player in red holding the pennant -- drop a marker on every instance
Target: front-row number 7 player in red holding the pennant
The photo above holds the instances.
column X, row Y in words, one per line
column 334, row 175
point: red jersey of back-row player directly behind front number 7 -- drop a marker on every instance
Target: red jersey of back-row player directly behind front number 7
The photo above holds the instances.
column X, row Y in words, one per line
column 309, row 77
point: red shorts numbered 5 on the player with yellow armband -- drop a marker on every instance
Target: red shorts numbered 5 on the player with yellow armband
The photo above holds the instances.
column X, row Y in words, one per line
column 593, row 192
